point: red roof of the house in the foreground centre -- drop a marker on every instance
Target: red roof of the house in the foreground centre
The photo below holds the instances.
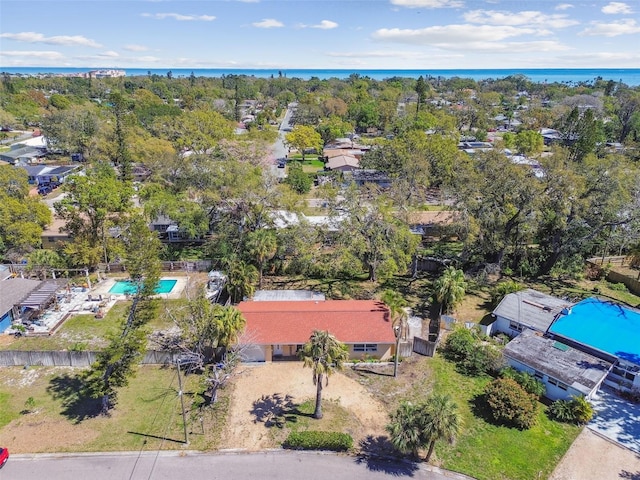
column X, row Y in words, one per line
column 291, row 323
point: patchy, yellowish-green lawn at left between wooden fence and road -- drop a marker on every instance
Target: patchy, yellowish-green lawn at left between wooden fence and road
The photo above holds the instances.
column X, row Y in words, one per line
column 147, row 417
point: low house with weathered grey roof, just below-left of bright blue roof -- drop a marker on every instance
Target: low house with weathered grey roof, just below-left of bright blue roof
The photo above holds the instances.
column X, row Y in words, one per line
column 564, row 371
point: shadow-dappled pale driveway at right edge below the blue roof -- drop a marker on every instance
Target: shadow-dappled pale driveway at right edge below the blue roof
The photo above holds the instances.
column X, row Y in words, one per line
column 616, row 419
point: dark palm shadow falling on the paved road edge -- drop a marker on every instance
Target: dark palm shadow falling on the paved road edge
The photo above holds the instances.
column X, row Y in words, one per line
column 379, row 455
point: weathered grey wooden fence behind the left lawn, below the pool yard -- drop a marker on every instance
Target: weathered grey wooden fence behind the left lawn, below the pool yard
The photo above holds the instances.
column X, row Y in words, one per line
column 14, row 358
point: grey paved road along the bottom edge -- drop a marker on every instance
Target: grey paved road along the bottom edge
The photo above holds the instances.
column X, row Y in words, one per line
column 278, row 465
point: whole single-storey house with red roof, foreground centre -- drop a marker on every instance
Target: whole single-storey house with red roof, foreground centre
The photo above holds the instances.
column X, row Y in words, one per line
column 278, row 329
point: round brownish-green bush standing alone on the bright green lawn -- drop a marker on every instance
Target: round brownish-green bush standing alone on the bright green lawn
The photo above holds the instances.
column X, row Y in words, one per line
column 510, row 404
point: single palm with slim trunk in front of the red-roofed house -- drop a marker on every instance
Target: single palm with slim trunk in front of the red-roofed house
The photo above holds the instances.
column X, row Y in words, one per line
column 325, row 355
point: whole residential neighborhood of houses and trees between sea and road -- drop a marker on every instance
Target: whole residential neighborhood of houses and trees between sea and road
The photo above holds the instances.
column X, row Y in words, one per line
column 282, row 264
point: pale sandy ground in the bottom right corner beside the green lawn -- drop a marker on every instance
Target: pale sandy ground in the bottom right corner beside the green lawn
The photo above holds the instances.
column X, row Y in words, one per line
column 591, row 457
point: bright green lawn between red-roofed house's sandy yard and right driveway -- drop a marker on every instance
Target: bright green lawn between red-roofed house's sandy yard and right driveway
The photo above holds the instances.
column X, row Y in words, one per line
column 482, row 450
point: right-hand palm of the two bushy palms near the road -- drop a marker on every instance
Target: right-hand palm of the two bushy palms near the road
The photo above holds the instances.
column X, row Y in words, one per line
column 442, row 421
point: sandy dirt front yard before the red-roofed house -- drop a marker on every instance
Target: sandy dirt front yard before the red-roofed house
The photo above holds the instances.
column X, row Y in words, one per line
column 289, row 381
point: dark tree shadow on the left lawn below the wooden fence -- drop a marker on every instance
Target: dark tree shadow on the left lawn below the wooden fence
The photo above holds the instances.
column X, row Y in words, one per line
column 75, row 406
